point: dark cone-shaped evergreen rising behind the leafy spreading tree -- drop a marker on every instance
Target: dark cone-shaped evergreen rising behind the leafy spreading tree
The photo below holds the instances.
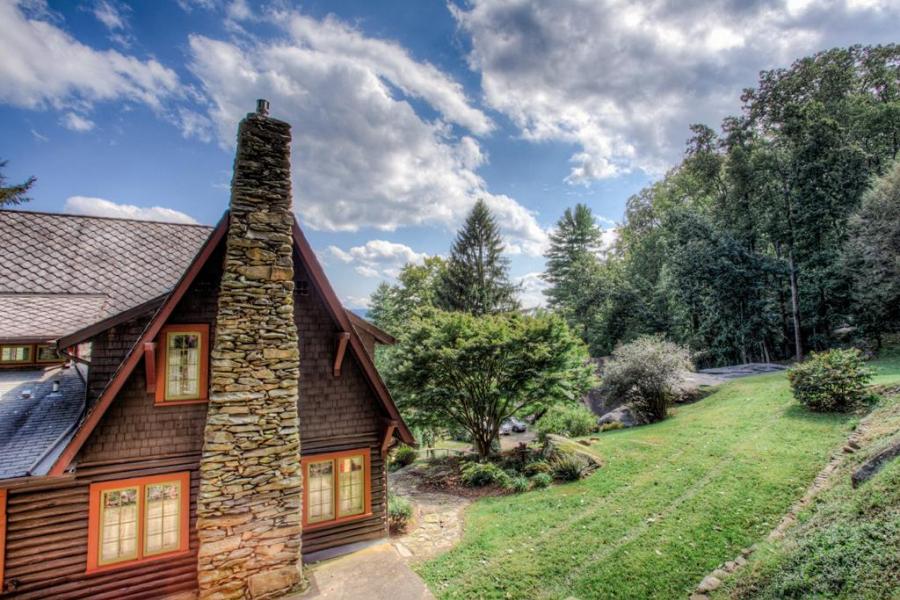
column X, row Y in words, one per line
column 477, row 277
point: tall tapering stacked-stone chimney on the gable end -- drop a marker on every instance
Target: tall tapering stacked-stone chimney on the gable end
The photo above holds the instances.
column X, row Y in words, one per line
column 249, row 505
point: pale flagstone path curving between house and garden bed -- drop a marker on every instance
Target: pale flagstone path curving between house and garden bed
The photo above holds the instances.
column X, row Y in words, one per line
column 438, row 519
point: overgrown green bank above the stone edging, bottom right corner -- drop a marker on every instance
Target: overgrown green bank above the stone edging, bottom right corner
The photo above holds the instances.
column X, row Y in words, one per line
column 847, row 543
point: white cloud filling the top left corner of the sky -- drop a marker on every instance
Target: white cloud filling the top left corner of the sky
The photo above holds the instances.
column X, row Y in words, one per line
column 43, row 66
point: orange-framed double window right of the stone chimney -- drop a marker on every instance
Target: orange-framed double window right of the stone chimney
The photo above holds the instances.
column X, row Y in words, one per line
column 336, row 487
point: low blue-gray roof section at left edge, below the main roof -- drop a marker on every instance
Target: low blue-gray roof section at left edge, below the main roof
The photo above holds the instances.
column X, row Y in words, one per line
column 35, row 427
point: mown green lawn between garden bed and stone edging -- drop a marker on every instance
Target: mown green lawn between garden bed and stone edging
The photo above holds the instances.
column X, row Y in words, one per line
column 674, row 500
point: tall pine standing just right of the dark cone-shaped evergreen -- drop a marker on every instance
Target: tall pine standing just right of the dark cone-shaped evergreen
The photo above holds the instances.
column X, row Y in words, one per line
column 575, row 239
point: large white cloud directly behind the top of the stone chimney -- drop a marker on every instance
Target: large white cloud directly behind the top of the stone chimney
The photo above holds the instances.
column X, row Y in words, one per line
column 363, row 156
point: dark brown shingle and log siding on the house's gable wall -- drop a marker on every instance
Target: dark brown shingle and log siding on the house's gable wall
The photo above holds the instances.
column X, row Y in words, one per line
column 48, row 527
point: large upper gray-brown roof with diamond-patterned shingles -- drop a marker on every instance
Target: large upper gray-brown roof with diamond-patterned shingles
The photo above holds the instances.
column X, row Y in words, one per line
column 59, row 273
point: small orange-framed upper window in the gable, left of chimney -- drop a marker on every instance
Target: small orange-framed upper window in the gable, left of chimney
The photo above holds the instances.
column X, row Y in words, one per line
column 183, row 364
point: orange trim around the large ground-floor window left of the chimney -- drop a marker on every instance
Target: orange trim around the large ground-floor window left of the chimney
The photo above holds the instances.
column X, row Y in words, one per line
column 94, row 524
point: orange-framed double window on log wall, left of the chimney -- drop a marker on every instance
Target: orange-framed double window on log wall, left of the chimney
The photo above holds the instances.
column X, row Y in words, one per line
column 137, row 519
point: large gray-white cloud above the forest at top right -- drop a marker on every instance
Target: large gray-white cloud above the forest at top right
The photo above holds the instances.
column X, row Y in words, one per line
column 622, row 81
